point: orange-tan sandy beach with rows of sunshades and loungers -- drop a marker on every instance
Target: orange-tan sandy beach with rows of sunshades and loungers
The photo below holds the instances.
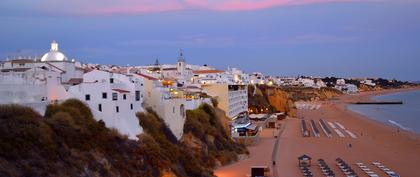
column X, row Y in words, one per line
column 375, row 142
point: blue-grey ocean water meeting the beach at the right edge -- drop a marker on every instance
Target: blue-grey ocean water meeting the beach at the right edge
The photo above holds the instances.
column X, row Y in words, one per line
column 405, row 116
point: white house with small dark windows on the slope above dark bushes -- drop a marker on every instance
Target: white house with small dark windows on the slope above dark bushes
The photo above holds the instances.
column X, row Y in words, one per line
column 112, row 98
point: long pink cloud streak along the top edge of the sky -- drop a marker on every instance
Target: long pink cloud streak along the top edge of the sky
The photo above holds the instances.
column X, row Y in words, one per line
column 110, row 7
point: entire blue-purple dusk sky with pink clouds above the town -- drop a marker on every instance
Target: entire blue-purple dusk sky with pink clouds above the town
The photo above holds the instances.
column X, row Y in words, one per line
column 342, row 38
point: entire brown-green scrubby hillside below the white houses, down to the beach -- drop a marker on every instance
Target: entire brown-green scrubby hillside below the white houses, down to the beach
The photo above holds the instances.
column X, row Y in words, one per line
column 68, row 141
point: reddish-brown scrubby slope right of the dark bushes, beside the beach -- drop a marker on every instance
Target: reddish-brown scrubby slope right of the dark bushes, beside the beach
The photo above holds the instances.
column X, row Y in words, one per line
column 205, row 143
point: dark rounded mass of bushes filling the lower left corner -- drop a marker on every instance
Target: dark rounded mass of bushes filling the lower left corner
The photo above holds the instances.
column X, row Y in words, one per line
column 66, row 142
